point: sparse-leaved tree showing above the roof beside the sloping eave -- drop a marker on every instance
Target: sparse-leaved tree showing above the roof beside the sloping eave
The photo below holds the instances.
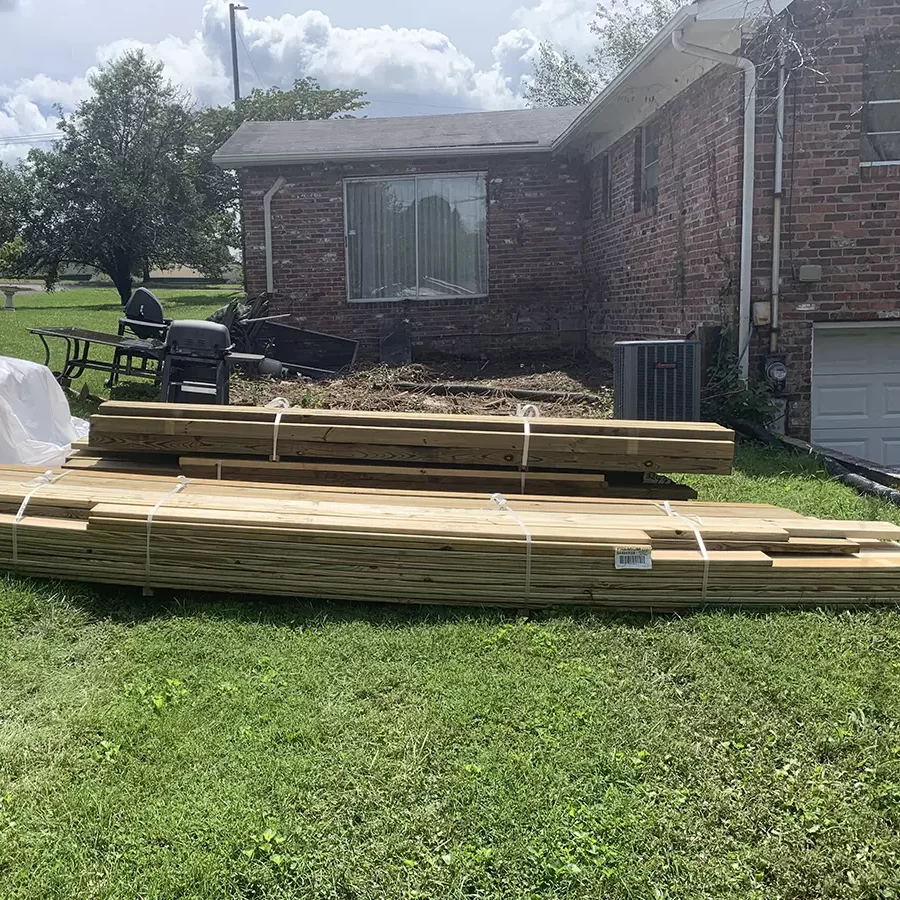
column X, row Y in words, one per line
column 622, row 28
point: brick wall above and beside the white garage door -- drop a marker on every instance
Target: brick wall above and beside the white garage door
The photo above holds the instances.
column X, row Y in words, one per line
column 838, row 215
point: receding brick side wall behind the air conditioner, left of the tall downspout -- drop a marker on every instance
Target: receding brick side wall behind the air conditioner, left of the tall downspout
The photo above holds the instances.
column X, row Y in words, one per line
column 658, row 273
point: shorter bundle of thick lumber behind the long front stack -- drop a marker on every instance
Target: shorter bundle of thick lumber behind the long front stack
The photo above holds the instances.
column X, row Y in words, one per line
column 354, row 448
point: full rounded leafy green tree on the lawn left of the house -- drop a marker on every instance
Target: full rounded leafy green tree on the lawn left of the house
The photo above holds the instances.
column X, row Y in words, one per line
column 122, row 189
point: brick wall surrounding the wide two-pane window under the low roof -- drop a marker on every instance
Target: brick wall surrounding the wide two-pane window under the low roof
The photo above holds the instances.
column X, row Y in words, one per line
column 535, row 274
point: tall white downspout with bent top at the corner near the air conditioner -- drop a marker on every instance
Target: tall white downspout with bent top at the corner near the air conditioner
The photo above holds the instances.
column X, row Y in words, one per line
column 749, row 70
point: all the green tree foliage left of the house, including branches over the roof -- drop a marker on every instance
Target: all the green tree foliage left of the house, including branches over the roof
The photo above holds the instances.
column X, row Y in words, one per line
column 131, row 184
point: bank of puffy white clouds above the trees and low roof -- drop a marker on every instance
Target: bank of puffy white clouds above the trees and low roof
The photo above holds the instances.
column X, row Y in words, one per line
column 407, row 69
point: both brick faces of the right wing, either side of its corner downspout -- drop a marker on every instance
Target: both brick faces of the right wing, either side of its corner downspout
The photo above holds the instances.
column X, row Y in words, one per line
column 662, row 273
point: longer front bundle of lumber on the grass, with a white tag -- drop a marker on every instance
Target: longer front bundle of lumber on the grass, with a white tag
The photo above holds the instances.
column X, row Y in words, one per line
column 421, row 546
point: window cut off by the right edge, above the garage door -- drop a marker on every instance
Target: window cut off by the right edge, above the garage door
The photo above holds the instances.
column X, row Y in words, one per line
column 881, row 113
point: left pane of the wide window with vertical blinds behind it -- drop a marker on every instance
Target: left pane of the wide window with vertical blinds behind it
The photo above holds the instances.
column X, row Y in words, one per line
column 381, row 238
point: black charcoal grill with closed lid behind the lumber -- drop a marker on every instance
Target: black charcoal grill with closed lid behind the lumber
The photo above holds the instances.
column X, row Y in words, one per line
column 195, row 367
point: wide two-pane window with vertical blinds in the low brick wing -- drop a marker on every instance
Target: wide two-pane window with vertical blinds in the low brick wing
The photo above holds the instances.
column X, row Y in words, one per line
column 418, row 237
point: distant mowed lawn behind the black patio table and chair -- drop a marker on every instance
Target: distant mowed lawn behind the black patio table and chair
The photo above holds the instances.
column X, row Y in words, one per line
column 94, row 309
